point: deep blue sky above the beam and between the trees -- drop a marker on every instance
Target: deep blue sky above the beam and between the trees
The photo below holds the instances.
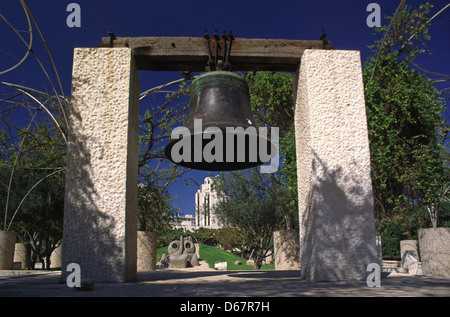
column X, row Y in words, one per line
column 344, row 22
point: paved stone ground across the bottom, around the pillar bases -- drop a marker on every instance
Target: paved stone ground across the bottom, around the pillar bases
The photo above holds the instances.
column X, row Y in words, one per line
column 202, row 282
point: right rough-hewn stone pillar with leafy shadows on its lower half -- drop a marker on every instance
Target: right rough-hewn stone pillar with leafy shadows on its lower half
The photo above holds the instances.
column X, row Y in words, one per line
column 337, row 230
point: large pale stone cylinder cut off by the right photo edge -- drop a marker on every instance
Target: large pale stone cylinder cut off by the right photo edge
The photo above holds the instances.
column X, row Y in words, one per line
column 435, row 251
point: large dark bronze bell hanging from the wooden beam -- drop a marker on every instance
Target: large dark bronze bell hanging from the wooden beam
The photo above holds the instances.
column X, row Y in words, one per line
column 227, row 138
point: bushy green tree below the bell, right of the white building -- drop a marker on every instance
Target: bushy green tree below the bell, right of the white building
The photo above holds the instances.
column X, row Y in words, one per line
column 254, row 203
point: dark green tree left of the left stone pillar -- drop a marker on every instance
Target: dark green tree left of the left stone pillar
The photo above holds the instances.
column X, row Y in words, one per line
column 32, row 188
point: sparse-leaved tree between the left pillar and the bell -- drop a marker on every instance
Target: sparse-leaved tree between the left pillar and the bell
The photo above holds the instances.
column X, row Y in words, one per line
column 155, row 210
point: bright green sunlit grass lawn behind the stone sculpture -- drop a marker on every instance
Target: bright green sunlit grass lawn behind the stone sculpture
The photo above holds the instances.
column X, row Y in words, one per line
column 212, row 254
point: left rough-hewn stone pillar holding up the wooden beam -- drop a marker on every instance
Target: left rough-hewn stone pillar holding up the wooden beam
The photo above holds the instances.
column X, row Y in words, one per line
column 100, row 224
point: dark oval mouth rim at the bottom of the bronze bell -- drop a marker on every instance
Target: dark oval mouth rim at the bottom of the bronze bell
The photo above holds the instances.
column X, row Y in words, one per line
column 224, row 165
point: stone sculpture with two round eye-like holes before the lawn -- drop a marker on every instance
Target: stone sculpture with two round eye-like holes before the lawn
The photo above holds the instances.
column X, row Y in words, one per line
column 181, row 254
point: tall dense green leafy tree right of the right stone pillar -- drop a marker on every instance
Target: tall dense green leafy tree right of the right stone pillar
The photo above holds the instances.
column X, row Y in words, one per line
column 405, row 121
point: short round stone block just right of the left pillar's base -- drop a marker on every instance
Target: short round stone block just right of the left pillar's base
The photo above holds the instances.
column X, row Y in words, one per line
column 146, row 251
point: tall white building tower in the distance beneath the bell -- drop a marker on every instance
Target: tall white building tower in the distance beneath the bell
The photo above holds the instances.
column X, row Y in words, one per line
column 205, row 199
